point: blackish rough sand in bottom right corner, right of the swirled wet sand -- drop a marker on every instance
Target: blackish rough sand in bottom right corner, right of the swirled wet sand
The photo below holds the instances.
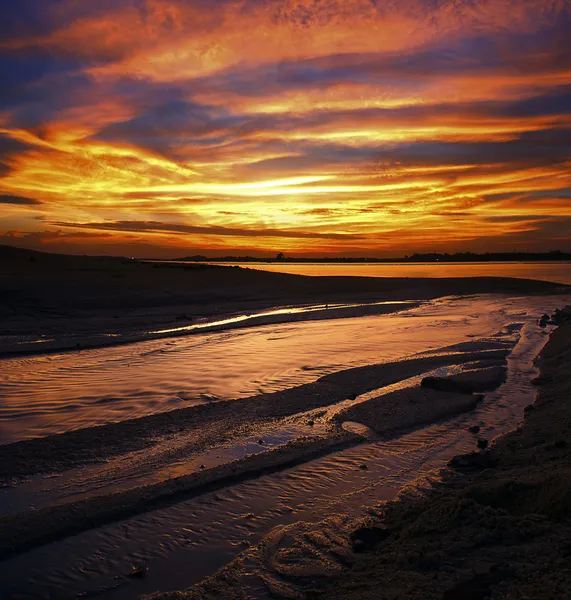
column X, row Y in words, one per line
column 500, row 531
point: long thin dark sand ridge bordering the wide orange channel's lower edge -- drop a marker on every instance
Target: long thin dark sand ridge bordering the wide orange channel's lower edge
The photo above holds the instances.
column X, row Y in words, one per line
column 217, row 421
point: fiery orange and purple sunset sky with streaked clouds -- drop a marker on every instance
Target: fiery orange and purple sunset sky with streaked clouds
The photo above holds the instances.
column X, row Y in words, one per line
column 311, row 127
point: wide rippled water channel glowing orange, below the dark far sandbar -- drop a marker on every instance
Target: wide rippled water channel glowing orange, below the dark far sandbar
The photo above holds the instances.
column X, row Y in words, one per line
column 55, row 393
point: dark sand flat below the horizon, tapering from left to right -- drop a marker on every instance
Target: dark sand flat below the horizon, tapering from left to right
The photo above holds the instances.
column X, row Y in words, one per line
column 85, row 301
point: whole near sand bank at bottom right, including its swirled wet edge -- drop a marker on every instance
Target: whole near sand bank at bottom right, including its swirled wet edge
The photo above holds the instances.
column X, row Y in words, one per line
column 495, row 525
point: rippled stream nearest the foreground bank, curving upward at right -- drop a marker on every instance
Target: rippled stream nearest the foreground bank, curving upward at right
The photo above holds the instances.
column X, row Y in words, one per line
column 186, row 542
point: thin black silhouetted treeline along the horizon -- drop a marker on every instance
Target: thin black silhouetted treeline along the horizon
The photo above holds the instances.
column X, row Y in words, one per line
column 554, row 255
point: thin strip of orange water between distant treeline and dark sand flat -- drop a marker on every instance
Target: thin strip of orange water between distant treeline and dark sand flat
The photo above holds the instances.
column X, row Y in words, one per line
column 558, row 272
